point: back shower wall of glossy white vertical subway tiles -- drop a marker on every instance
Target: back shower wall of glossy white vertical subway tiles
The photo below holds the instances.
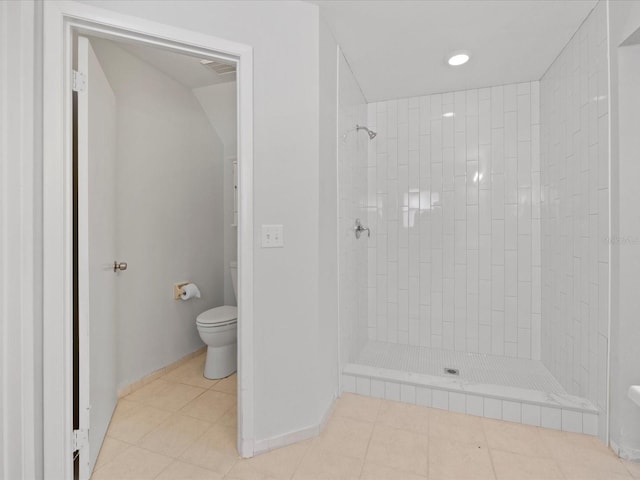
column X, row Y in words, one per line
column 453, row 203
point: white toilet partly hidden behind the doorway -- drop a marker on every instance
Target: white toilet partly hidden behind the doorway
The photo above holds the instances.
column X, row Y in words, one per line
column 218, row 329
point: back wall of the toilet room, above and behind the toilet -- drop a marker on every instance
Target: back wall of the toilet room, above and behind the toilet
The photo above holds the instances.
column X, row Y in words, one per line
column 220, row 103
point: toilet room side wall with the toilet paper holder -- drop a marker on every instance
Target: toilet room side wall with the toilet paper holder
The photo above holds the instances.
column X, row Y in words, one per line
column 169, row 210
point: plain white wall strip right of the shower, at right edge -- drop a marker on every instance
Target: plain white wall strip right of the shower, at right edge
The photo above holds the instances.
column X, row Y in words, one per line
column 624, row 54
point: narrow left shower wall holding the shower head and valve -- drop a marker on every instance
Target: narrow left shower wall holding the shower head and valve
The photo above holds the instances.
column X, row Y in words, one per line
column 352, row 193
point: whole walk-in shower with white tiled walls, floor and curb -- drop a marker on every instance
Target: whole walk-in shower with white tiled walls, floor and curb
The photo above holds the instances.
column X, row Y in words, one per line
column 488, row 211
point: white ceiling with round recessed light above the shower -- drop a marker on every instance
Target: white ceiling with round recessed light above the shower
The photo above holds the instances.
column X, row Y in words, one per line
column 398, row 48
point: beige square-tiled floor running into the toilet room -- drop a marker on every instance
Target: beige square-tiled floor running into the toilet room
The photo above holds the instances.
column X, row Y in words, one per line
column 183, row 426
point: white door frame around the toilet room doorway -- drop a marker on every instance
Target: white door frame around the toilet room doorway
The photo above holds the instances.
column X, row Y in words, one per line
column 61, row 20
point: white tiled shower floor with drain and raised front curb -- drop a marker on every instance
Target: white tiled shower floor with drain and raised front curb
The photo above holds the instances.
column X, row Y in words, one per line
column 513, row 389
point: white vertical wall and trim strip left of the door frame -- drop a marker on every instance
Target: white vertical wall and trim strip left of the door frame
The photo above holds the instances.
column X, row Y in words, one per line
column 17, row 241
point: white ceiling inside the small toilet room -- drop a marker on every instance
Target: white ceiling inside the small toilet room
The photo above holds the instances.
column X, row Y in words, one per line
column 183, row 68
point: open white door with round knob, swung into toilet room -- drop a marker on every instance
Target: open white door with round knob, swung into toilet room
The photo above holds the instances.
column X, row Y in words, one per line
column 96, row 143
